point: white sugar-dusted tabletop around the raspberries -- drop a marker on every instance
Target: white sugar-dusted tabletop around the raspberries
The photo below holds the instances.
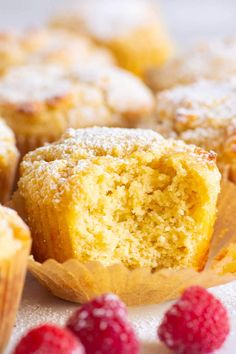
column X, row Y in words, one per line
column 38, row 306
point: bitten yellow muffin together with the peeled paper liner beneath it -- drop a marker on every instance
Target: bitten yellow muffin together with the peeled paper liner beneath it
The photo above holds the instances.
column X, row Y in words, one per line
column 99, row 202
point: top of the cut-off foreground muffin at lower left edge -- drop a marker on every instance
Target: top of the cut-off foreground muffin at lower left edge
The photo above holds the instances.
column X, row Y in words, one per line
column 13, row 232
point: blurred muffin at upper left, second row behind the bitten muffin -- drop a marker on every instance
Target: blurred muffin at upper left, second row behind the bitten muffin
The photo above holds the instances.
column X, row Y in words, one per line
column 49, row 46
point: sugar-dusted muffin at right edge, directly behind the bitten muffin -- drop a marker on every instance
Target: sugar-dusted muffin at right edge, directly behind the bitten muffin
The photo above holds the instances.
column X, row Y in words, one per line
column 204, row 114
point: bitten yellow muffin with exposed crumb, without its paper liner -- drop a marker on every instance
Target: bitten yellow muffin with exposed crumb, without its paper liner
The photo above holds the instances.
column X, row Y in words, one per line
column 120, row 196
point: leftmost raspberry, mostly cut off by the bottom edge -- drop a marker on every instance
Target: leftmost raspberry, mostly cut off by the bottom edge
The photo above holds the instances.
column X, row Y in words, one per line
column 49, row 339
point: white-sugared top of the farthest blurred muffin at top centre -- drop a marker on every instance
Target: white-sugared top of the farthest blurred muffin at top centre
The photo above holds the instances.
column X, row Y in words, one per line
column 107, row 19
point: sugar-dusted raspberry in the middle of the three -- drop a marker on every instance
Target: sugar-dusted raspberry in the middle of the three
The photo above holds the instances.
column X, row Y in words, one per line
column 103, row 328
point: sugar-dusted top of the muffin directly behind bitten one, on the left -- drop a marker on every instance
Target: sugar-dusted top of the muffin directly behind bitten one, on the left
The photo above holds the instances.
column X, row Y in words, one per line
column 32, row 88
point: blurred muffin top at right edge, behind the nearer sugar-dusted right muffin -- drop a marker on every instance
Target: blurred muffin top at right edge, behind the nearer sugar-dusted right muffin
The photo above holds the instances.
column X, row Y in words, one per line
column 213, row 60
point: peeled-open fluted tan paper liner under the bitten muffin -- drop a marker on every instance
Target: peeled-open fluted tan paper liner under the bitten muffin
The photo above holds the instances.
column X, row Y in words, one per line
column 78, row 282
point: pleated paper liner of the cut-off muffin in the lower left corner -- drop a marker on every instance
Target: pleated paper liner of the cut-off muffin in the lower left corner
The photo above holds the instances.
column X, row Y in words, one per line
column 12, row 275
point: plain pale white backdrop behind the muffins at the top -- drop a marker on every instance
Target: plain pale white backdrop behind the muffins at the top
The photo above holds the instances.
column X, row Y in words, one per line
column 188, row 20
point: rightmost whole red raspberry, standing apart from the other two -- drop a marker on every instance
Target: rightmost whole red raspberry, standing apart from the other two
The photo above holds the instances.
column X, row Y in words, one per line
column 196, row 324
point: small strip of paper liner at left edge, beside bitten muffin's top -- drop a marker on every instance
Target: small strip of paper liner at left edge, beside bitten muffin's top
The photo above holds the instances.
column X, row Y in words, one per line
column 7, row 178
